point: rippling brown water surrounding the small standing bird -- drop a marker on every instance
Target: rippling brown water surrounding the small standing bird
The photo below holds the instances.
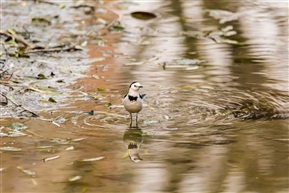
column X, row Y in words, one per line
column 216, row 78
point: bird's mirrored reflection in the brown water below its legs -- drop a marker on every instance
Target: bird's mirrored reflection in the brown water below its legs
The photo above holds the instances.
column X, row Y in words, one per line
column 133, row 138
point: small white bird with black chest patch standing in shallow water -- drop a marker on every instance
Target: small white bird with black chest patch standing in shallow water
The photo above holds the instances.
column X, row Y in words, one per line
column 133, row 101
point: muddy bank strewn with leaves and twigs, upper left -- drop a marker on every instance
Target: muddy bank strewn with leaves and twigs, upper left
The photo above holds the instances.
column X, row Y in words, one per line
column 47, row 51
